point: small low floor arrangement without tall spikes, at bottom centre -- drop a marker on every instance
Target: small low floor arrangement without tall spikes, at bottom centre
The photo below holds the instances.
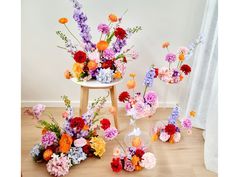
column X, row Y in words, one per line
column 133, row 159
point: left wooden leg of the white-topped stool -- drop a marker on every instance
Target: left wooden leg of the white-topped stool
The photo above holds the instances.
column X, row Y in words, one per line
column 84, row 94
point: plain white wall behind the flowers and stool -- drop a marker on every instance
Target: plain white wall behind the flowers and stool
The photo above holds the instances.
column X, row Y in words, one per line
column 43, row 64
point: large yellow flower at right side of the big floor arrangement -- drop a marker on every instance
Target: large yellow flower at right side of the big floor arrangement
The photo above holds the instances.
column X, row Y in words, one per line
column 98, row 144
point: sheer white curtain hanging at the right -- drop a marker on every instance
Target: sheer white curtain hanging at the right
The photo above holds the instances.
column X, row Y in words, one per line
column 202, row 87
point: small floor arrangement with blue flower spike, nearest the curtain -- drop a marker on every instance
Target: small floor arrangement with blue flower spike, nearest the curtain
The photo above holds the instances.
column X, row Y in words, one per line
column 170, row 132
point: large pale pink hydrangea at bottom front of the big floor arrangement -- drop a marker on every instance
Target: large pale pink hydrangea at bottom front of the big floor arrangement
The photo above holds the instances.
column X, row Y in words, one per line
column 58, row 166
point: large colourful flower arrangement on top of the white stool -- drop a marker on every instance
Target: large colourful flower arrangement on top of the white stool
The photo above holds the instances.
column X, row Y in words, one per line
column 105, row 60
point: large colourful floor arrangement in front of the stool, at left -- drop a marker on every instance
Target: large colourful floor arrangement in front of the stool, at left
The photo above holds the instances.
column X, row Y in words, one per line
column 69, row 145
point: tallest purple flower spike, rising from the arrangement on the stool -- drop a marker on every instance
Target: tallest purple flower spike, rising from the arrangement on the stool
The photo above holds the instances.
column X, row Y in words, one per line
column 81, row 19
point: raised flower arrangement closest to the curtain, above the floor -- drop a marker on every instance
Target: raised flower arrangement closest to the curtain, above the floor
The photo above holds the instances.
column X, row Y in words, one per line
column 177, row 70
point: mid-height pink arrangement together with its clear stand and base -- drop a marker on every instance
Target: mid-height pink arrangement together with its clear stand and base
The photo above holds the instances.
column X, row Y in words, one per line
column 138, row 106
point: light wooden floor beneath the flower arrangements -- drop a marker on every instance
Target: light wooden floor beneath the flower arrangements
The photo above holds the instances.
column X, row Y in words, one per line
column 184, row 159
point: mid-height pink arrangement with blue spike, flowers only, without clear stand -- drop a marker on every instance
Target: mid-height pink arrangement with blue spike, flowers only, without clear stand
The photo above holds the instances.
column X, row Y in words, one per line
column 139, row 105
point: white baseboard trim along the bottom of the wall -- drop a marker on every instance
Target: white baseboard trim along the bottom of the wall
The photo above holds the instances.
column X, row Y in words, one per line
column 27, row 103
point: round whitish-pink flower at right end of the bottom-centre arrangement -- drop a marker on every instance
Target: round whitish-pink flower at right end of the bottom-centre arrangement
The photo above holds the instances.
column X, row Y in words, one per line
column 148, row 160
